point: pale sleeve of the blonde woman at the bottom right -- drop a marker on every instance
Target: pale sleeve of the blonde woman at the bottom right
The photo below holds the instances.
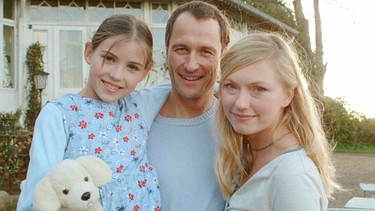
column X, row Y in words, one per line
column 300, row 192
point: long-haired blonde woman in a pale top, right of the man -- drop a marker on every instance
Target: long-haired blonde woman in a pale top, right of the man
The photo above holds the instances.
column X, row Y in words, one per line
column 275, row 155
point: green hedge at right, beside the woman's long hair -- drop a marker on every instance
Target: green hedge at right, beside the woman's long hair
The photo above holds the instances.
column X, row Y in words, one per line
column 350, row 130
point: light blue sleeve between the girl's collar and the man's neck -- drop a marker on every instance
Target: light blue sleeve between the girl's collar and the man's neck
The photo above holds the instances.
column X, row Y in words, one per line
column 151, row 100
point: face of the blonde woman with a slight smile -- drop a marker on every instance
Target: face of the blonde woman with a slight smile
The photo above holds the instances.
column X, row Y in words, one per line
column 253, row 98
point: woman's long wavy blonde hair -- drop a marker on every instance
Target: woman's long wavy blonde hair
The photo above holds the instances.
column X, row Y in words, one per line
column 233, row 162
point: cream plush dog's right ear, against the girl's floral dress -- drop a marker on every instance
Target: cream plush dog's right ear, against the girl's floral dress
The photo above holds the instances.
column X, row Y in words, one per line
column 98, row 169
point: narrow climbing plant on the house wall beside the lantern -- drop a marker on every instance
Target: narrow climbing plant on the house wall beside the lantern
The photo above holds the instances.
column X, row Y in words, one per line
column 34, row 62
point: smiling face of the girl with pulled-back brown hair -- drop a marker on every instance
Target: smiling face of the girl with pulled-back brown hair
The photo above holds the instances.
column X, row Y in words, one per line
column 117, row 73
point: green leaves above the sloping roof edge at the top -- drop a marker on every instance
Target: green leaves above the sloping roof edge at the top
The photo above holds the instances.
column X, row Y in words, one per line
column 275, row 9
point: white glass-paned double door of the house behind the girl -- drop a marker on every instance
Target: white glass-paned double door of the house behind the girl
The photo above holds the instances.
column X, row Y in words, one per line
column 63, row 58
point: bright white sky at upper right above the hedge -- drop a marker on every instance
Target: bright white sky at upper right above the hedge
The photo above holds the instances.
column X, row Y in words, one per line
column 349, row 51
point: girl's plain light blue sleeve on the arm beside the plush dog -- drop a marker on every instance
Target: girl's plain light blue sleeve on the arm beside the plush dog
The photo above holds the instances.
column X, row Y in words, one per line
column 47, row 149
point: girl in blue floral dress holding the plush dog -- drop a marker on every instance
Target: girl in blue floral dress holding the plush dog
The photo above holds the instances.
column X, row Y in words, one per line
column 103, row 119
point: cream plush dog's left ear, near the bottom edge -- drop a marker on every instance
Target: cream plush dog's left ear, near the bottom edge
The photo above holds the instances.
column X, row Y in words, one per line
column 45, row 198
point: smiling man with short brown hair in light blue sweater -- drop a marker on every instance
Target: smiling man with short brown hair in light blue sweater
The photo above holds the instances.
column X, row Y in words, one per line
column 181, row 145
